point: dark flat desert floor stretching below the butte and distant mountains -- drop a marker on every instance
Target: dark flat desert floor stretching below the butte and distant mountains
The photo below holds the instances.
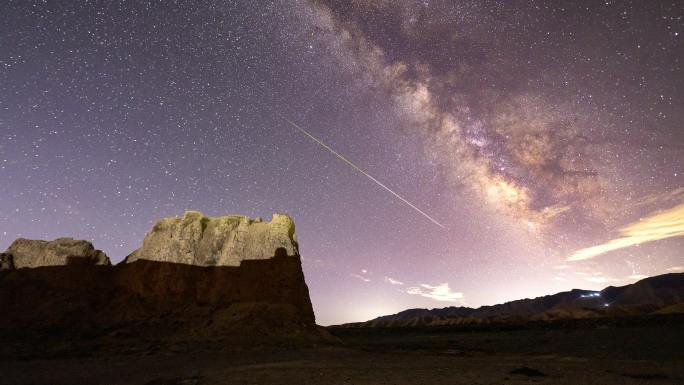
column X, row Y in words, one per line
column 638, row 350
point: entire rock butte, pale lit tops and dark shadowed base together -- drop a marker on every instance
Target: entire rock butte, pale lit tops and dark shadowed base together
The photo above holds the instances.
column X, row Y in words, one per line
column 196, row 282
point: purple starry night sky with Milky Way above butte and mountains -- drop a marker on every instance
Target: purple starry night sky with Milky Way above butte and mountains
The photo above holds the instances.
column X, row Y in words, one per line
column 546, row 138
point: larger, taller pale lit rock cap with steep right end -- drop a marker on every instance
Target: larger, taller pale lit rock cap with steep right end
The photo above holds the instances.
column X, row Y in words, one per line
column 226, row 241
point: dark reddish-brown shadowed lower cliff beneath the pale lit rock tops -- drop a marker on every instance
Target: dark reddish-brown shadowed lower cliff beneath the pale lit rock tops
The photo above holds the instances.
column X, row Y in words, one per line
column 57, row 311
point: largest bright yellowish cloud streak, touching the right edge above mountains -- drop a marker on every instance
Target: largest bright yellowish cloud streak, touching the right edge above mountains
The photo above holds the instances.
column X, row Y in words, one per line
column 669, row 223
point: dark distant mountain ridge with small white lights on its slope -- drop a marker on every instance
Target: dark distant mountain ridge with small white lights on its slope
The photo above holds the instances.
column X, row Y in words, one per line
column 655, row 295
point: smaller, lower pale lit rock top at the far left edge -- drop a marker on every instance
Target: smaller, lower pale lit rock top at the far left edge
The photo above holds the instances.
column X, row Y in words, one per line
column 61, row 251
